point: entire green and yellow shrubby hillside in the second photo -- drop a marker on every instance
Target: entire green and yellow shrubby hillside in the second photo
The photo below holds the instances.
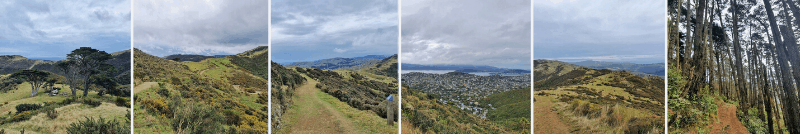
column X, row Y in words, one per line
column 216, row 93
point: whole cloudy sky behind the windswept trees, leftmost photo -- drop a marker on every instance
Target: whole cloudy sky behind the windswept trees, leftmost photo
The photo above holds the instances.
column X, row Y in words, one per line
column 50, row 30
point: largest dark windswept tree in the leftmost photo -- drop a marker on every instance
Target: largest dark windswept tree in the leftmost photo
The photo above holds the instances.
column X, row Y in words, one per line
column 89, row 62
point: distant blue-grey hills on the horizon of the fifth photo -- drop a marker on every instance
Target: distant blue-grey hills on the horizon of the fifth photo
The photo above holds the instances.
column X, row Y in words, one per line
column 652, row 69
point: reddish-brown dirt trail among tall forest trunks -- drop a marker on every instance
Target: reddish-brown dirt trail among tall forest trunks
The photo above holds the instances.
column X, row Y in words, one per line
column 727, row 122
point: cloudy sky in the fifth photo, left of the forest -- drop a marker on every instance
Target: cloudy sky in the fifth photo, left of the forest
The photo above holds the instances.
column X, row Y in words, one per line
column 600, row 30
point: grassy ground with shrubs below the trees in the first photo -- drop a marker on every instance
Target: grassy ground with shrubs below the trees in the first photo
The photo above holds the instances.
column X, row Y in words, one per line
column 67, row 109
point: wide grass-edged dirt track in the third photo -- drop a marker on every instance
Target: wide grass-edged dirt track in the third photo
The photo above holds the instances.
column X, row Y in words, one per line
column 316, row 116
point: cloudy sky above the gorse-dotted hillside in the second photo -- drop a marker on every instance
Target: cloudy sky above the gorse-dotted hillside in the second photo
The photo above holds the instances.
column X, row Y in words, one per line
column 209, row 27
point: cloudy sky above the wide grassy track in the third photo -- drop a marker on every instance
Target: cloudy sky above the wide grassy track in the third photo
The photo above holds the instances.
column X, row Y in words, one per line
column 309, row 30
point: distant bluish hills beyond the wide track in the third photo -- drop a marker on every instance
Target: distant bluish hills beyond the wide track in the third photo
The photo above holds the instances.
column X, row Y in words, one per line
column 354, row 63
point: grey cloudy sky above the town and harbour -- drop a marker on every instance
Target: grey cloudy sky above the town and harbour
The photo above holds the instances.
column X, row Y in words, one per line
column 471, row 32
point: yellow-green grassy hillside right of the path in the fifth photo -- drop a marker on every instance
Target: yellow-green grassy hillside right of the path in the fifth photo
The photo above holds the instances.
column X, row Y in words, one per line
column 618, row 101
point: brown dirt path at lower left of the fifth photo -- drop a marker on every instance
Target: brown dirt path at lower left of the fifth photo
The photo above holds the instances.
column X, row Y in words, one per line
column 546, row 119
